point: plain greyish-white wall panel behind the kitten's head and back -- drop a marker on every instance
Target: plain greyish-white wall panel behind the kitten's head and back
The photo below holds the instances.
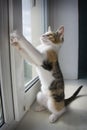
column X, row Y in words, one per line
column 65, row 12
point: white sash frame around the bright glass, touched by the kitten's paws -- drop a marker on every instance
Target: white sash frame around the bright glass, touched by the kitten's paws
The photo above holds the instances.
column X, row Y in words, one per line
column 22, row 99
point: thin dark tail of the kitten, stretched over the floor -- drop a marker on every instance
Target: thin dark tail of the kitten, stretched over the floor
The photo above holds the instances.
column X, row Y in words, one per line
column 73, row 97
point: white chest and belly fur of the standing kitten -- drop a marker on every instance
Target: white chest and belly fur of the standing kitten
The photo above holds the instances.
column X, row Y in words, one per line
column 45, row 76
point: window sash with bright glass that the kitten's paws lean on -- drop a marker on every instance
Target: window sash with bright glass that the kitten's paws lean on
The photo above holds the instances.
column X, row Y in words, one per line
column 28, row 18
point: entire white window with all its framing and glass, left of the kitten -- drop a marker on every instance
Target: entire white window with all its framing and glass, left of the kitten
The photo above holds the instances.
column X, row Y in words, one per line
column 13, row 68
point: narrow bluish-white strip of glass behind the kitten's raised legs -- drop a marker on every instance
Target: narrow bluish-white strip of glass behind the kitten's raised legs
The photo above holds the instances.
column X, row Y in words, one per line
column 26, row 20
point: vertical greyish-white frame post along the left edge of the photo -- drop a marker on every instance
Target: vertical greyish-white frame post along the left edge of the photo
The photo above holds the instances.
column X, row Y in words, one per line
column 5, row 72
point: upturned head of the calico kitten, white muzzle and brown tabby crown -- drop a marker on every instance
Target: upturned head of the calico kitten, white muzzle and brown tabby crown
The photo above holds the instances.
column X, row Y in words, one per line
column 53, row 38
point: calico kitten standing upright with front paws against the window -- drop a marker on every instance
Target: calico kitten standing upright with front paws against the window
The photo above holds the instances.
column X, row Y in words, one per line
column 45, row 58
